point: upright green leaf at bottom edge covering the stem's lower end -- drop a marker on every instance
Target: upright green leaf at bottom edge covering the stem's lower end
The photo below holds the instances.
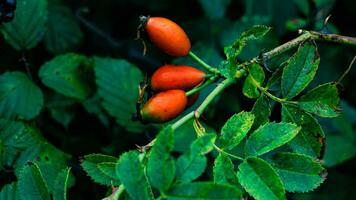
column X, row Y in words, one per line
column 131, row 173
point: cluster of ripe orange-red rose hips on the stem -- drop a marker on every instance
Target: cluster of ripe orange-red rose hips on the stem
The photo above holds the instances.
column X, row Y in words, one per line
column 169, row 82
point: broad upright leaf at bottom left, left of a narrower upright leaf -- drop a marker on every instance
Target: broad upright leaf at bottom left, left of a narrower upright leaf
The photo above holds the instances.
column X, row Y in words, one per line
column 31, row 185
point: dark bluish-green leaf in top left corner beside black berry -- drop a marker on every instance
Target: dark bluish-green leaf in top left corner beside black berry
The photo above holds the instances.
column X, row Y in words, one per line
column 28, row 26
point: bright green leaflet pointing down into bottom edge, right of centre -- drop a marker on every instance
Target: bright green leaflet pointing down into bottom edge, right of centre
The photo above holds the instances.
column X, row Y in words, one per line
column 260, row 180
